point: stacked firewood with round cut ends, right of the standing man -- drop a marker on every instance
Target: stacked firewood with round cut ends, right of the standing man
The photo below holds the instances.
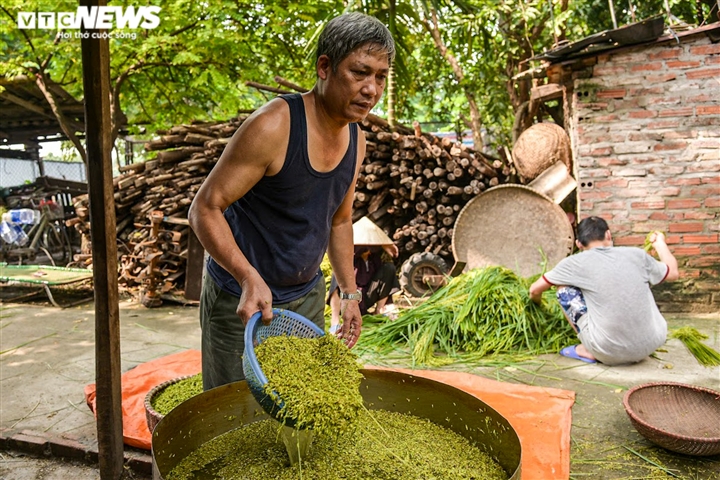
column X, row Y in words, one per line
column 413, row 185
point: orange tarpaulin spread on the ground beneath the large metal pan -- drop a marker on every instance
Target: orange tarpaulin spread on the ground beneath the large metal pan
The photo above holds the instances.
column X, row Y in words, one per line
column 541, row 416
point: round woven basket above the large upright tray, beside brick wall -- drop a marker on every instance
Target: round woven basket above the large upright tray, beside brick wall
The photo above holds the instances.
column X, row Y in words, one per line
column 539, row 148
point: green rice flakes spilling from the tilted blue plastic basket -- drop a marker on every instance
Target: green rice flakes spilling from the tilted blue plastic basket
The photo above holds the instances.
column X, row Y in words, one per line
column 317, row 380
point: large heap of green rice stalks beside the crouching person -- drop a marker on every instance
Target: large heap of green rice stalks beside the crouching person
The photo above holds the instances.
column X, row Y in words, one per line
column 483, row 313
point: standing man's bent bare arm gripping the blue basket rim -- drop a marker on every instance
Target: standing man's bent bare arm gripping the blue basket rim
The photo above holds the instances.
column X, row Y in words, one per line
column 256, row 149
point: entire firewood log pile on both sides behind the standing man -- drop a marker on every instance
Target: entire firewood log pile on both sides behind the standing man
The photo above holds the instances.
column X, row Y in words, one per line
column 412, row 185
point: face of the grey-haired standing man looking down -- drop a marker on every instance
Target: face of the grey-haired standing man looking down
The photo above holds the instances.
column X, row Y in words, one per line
column 357, row 85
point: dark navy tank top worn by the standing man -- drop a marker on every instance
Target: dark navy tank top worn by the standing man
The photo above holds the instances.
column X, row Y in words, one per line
column 282, row 224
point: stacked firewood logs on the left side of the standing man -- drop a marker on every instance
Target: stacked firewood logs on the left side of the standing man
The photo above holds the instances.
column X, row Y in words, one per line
column 154, row 259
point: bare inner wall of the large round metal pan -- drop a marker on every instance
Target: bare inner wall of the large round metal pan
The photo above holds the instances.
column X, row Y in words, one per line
column 217, row 411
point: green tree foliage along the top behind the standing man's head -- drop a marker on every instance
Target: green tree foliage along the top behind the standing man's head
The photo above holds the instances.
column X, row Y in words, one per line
column 194, row 65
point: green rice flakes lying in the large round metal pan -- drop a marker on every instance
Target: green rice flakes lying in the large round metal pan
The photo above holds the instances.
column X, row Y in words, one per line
column 385, row 445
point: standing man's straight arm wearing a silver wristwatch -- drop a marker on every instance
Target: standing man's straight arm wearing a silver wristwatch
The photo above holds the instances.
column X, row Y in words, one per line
column 340, row 254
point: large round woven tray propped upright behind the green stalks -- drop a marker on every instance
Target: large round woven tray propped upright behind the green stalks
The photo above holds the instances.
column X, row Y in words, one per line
column 515, row 227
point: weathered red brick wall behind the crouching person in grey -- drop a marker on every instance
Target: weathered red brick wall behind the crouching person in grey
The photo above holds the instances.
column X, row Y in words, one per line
column 645, row 127
